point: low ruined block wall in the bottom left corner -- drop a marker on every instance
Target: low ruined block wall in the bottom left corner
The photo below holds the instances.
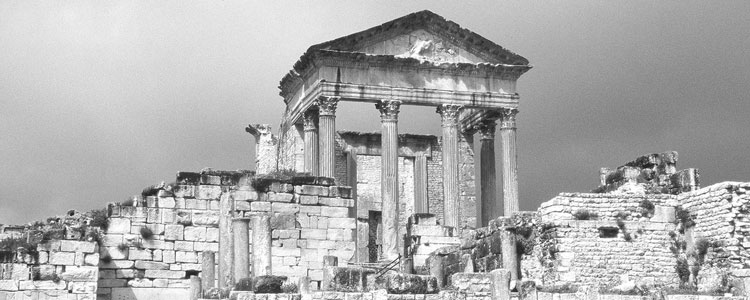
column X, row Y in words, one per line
column 60, row 269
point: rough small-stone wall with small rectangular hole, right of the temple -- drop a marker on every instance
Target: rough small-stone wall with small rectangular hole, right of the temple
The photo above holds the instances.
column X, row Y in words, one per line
column 580, row 252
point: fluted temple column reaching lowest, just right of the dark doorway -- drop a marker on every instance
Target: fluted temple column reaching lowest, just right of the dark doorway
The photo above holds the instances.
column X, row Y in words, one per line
column 389, row 176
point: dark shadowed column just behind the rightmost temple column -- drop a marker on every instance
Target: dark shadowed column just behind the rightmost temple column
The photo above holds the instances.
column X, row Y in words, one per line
column 489, row 205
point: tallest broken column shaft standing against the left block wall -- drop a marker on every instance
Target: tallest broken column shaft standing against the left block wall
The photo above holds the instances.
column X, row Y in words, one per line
column 226, row 242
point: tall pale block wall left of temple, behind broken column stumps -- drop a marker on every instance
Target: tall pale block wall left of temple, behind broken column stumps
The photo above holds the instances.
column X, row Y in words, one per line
column 307, row 222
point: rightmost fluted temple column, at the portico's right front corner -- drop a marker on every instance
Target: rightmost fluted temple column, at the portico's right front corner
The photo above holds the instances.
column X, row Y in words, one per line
column 510, row 169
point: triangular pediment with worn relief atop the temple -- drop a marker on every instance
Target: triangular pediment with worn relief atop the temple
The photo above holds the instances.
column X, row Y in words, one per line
column 425, row 36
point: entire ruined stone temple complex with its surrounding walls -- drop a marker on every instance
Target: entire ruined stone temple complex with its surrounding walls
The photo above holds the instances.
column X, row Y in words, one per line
column 337, row 215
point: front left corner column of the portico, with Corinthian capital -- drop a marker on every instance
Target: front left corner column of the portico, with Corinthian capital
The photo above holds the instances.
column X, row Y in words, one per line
column 327, row 135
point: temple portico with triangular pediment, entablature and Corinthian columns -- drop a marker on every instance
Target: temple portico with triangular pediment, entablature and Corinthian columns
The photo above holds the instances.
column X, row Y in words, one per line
column 421, row 60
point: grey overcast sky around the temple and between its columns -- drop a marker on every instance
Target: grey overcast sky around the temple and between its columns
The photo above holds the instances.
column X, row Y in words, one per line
column 99, row 99
